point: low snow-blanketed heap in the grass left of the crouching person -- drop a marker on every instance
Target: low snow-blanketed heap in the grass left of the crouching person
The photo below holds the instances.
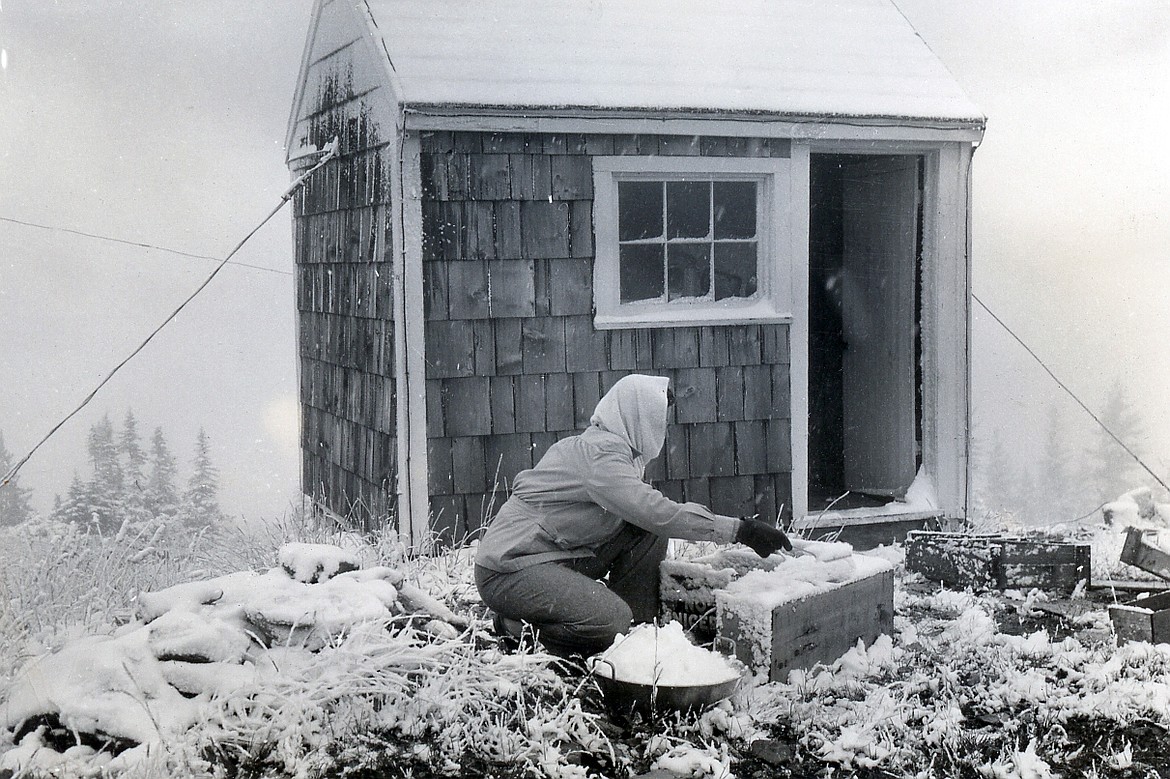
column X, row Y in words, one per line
column 154, row 679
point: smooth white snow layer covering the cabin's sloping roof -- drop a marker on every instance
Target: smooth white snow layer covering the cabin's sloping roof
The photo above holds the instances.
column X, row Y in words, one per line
column 794, row 58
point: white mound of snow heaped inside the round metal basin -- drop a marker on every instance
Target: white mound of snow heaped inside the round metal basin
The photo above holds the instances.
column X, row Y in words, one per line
column 665, row 657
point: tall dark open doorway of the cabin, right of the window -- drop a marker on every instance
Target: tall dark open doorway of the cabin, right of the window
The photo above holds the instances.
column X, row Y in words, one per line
column 865, row 416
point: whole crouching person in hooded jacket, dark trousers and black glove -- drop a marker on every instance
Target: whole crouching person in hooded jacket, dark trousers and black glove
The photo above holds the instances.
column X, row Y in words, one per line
column 575, row 551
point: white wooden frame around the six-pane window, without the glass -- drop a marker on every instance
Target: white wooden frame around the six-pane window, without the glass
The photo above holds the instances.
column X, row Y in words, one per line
column 776, row 251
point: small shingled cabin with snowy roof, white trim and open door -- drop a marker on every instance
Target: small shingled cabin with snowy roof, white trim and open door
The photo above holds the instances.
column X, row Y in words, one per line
column 768, row 202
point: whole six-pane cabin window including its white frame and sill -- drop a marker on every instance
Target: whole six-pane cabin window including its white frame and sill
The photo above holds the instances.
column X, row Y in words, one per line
column 689, row 240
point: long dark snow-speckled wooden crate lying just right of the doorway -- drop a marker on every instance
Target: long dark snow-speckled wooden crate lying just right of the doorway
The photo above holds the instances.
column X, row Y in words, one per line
column 989, row 562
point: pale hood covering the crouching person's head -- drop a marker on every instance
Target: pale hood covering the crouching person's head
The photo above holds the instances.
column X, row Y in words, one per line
column 635, row 410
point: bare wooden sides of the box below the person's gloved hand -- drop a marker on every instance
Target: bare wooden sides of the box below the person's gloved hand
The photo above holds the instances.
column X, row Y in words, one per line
column 817, row 629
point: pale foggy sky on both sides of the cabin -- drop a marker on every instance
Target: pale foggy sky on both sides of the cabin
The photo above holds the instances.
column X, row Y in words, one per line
column 164, row 123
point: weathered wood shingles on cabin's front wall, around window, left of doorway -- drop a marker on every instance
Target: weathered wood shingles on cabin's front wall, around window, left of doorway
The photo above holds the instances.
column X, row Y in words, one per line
column 513, row 354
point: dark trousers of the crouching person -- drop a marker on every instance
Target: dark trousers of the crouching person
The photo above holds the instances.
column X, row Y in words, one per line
column 573, row 611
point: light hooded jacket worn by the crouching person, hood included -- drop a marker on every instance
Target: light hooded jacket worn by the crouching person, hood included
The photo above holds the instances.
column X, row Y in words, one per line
column 587, row 486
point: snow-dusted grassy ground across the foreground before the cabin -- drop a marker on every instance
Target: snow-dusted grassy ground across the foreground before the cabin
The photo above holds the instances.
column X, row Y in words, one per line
column 341, row 654
